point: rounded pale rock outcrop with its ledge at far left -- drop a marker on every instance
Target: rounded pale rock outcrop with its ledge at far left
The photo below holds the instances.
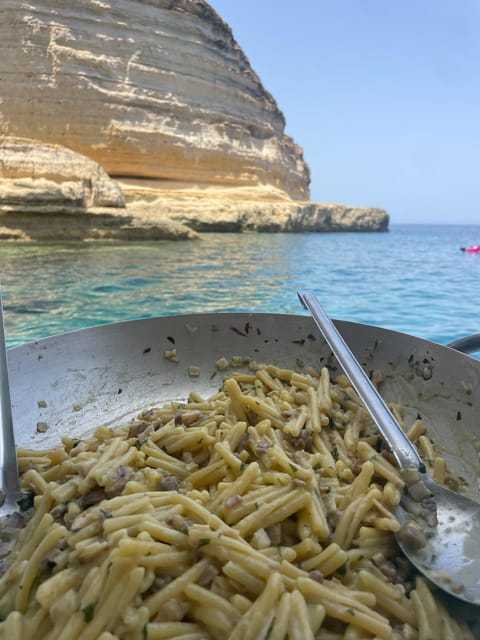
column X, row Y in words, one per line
column 48, row 192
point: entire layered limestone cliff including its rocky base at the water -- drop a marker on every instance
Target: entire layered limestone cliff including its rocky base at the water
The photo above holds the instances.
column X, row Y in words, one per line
column 163, row 111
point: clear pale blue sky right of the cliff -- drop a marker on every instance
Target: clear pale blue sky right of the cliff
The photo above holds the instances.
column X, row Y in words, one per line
column 382, row 95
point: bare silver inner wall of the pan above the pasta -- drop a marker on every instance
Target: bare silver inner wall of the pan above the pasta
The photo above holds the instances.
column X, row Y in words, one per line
column 73, row 382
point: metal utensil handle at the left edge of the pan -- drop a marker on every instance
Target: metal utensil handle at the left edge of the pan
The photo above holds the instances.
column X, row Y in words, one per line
column 8, row 458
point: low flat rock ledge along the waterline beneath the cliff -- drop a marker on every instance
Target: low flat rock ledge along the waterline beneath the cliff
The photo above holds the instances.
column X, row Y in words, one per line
column 174, row 220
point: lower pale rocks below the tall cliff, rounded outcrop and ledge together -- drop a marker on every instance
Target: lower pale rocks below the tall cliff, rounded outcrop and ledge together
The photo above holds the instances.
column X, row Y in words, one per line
column 71, row 197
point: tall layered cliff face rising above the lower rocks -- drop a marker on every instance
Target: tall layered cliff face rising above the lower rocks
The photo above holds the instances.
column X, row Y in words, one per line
column 148, row 88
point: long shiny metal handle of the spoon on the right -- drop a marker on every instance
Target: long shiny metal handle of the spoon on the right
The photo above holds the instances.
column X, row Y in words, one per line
column 403, row 450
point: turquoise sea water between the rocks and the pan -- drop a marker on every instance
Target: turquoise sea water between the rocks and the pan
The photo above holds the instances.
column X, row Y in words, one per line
column 412, row 279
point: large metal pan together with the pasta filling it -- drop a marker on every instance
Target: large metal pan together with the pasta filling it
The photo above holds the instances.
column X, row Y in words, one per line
column 216, row 477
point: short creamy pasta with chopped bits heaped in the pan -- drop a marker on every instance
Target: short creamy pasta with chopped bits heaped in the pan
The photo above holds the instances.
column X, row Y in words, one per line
column 262, row 512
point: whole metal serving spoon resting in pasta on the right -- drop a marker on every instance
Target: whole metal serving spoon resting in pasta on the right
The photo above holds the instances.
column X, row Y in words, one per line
column 440, row 529
